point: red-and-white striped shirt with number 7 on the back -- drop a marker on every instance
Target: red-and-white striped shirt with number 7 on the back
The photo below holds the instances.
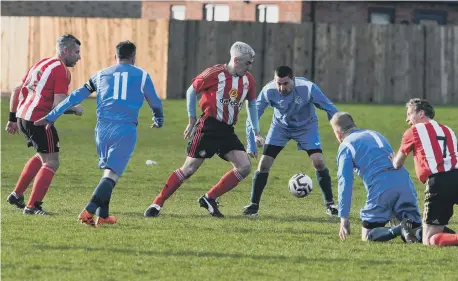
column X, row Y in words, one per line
column 434, row 148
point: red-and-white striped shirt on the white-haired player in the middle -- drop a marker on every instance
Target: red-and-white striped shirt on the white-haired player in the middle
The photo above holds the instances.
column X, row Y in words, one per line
column 223, row 94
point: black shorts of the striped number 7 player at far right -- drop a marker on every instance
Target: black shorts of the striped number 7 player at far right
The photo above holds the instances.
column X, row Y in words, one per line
column 440, row 196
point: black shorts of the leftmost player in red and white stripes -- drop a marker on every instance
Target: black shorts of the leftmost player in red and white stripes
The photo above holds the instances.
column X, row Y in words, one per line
column 43, row 138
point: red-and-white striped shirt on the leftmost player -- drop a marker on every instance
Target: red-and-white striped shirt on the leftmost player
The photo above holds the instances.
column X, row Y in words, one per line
column 43, row 80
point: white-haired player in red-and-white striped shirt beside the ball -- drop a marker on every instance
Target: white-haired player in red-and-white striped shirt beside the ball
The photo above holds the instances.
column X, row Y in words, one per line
column 224, row 88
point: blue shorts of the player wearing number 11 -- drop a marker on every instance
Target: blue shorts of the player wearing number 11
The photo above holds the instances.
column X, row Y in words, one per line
column 115, row 144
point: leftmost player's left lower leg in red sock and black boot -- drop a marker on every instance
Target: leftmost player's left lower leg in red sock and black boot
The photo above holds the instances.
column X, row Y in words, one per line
column 29, row 172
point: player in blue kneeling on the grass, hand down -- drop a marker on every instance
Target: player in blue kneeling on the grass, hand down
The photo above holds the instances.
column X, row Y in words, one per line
column 390, row 192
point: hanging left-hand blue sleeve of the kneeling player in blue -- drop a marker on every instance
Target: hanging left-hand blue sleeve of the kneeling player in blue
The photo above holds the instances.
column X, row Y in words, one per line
column 345, row 180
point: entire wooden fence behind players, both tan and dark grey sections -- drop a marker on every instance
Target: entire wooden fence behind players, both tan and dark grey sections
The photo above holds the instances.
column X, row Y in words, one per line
column 351, row 63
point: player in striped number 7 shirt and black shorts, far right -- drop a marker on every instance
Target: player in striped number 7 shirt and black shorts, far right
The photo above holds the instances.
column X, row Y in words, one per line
column 434, row 148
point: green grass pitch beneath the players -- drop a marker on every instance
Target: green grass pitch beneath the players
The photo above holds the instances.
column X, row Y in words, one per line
column 292, row 239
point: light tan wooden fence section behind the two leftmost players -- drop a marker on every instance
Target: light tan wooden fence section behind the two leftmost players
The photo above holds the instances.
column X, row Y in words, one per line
column 25, row 40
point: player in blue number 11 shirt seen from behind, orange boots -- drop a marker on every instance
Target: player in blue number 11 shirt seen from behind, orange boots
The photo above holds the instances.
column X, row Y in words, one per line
column 121, row 90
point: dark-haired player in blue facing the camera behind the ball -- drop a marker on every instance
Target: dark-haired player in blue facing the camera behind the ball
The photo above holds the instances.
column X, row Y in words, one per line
column 294, row 118
